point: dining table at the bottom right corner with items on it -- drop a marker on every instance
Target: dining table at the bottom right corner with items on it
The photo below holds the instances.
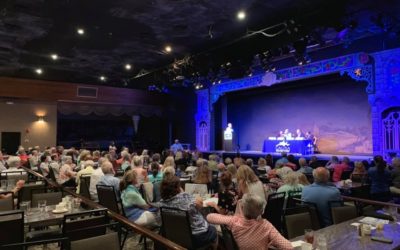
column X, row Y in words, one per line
column 345, row 236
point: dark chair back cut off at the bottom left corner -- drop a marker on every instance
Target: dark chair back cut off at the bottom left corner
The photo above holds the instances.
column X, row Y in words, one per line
column 11, row 227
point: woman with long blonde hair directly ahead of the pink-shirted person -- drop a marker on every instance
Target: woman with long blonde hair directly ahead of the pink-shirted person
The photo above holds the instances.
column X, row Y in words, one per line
column 248, row 182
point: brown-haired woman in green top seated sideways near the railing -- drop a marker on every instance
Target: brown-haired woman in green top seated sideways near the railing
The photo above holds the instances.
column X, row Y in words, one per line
column 136, row 208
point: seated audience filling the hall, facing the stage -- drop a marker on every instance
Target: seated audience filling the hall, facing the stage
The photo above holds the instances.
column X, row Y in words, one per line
column 242, row 196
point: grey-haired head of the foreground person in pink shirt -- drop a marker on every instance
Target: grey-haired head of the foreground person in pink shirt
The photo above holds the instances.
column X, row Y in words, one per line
column 252, row 206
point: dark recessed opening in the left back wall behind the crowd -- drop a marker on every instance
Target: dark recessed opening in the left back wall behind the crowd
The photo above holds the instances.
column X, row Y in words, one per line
column 100, row 130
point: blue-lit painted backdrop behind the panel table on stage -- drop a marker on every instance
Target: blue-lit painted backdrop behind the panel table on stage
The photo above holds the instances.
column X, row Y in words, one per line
column 334, row 108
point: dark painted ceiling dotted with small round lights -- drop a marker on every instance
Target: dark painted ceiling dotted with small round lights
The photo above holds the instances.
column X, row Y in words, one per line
column 202, row 33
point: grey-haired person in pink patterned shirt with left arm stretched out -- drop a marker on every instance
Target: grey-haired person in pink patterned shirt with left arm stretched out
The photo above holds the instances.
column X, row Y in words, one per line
column 250, row 230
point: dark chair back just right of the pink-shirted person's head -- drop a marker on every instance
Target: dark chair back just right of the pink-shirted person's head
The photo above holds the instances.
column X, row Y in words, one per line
column 273, row 211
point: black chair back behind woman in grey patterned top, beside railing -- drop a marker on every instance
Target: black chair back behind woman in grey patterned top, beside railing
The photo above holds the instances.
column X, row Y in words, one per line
column 176, row 226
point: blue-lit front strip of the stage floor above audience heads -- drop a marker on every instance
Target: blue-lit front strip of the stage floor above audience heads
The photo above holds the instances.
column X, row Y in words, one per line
column 324, row 157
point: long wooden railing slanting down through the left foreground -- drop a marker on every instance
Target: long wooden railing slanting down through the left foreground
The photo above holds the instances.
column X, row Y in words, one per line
column 117, row 217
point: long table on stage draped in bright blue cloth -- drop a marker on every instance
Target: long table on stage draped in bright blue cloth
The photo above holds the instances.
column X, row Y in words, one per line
column 292, row 146
